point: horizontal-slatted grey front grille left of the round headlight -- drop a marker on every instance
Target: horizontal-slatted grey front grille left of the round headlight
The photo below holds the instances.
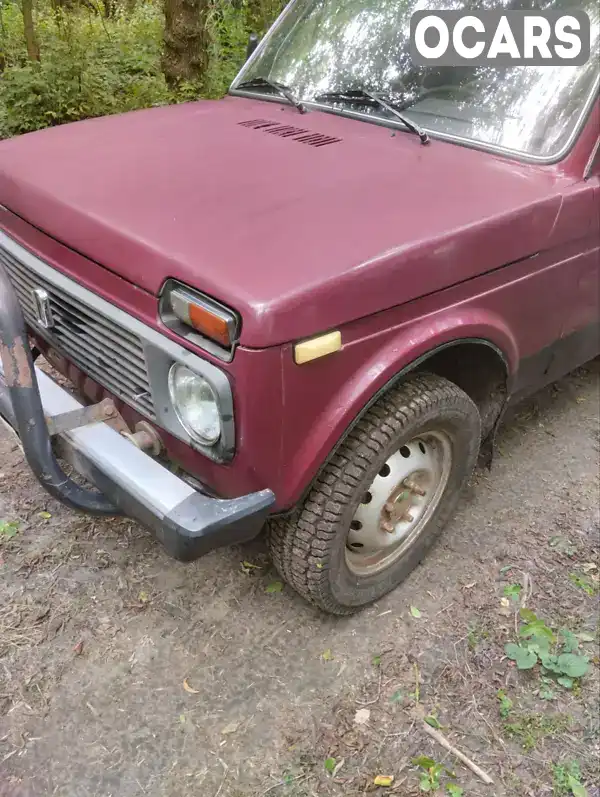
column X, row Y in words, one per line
column 100, row 347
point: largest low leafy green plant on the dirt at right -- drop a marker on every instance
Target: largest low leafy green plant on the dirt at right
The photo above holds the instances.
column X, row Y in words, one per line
column 557, row 655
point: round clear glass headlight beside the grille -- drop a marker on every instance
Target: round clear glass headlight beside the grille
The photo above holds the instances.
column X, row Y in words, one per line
column 195, row 403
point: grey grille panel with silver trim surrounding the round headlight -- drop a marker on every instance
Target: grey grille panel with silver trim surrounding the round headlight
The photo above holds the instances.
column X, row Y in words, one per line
column 128, row 357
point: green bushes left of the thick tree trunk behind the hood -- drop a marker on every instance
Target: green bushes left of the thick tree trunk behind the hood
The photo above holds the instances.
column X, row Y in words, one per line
column 89, row 67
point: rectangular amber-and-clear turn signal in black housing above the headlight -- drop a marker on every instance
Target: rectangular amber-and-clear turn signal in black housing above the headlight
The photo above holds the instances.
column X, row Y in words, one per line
column 206, row 316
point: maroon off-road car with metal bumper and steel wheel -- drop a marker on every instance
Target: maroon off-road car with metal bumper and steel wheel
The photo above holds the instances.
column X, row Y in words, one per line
column 307, row 304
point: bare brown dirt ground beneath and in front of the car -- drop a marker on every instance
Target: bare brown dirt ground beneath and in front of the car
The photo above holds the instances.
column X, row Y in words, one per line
column 124, row 673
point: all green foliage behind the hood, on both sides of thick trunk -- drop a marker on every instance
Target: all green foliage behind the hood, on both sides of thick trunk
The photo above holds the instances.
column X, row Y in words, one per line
column 93, row 66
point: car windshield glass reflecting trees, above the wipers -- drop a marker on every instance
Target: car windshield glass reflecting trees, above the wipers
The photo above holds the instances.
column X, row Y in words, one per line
column 320, row 47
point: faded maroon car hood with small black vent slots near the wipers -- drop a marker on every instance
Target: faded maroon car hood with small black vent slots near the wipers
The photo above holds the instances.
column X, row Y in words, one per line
column 299, row 222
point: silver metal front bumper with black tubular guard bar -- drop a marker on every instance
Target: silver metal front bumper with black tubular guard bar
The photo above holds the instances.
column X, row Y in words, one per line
column 187, row 522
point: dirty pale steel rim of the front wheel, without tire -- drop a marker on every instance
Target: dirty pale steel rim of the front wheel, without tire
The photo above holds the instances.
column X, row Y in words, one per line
column 399, row 503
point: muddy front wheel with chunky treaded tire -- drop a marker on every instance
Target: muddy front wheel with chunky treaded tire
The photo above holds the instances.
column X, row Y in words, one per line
column 316, row 549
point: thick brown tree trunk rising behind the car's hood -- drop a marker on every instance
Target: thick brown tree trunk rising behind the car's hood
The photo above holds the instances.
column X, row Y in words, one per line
column 186, row 40
